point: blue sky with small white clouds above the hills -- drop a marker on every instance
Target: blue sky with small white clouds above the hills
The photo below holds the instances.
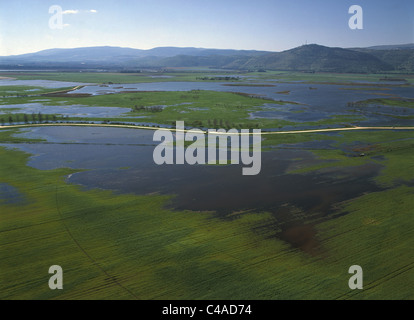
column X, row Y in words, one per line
column 227, row 24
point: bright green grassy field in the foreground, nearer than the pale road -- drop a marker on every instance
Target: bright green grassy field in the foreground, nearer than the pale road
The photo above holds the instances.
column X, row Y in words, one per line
column 130, row 247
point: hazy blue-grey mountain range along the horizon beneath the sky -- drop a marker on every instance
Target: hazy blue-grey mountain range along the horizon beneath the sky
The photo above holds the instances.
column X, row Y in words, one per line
column 307, row 58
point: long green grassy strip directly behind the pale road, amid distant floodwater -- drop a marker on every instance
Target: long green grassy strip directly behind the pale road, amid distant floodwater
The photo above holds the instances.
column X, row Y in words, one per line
column 198, row 108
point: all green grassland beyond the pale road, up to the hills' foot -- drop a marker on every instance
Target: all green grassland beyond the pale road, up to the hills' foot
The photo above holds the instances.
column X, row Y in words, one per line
column 196, row 108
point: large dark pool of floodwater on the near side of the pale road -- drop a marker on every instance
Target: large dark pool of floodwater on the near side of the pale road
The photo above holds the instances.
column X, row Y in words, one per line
column 122, row 160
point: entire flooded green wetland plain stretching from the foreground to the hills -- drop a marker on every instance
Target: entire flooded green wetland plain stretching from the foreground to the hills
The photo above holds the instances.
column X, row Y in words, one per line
column 322, row 202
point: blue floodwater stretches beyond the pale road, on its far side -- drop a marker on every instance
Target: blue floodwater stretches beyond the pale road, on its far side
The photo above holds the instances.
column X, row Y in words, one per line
column 312, row 103
